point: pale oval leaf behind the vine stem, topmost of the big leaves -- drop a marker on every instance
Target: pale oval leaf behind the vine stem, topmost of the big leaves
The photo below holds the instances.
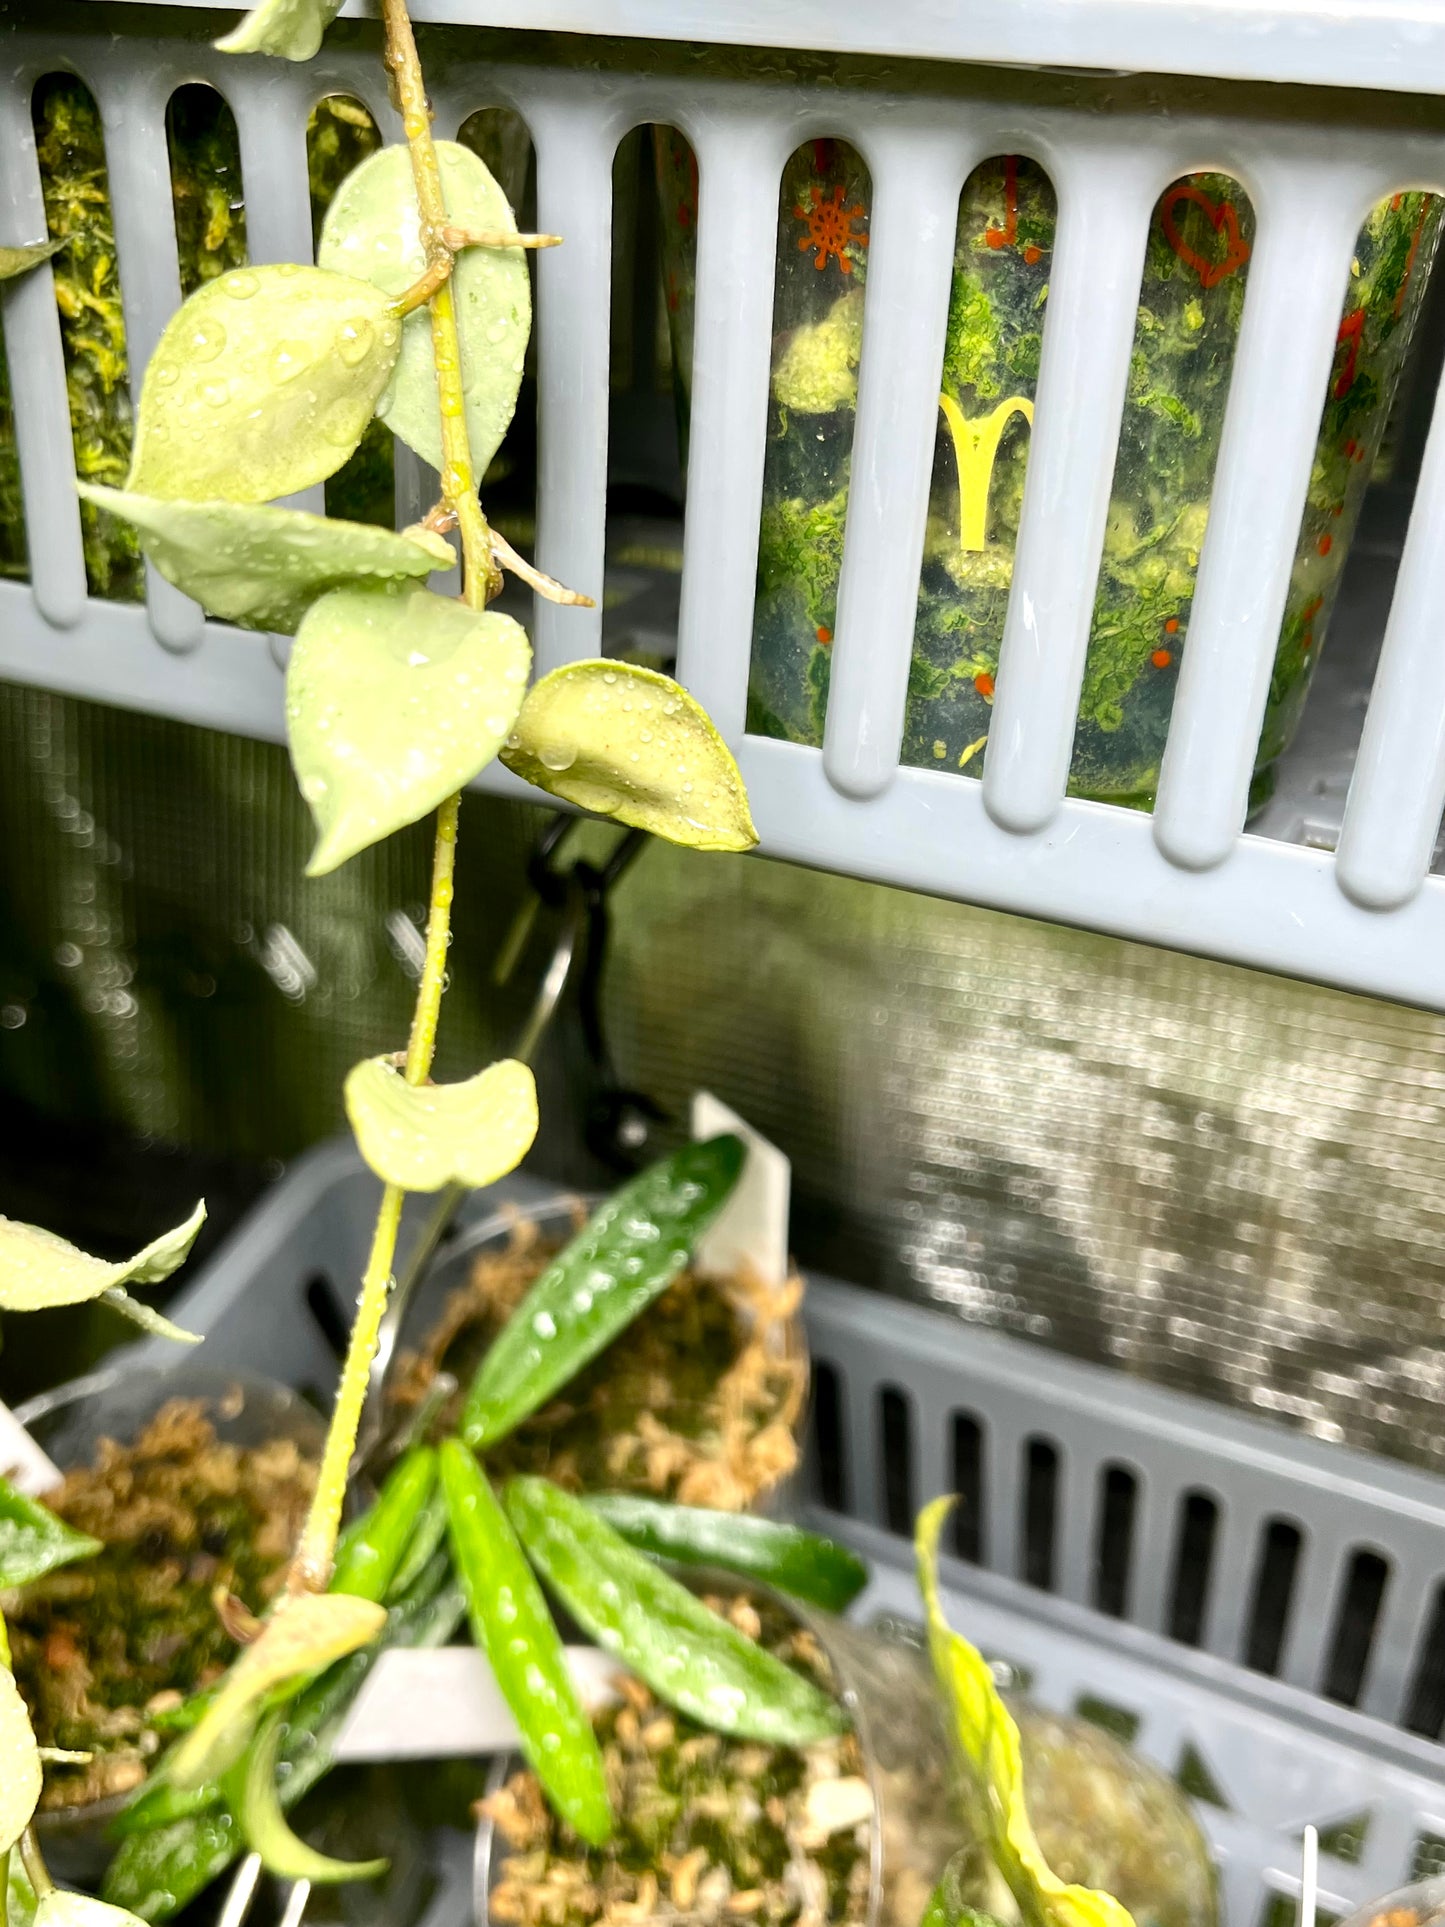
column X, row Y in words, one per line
column 373, row 232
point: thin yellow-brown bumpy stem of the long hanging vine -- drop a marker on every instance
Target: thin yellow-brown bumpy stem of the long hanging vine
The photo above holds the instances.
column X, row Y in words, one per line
column 311, row 1570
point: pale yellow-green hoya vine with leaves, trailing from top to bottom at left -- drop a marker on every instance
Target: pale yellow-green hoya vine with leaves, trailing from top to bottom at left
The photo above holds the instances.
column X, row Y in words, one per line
column 261, row 386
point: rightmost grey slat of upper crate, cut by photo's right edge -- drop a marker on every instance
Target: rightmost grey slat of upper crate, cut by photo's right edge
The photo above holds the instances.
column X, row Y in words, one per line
column 1398, row 791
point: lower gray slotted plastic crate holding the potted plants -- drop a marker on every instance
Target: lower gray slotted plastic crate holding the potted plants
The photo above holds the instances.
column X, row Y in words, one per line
column 1097, row 1489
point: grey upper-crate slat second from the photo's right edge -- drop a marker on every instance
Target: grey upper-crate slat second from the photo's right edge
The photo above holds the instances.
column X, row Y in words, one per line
column 1298, row 278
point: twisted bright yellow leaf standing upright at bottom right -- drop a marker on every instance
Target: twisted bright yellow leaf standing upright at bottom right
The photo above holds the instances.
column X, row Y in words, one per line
column 989, row 1743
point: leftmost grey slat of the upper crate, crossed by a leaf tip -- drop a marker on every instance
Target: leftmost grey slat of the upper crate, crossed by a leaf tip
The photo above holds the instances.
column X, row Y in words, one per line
column 43, row 438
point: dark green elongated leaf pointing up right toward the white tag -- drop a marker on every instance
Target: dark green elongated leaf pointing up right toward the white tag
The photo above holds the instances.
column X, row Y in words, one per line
column 627, row 1254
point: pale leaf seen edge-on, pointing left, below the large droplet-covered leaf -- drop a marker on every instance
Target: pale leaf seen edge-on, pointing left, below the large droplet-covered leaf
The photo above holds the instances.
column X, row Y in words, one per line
column 265, row 568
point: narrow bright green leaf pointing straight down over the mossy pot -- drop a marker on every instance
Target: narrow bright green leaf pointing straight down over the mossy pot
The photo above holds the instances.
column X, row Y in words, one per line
column 515, row 1631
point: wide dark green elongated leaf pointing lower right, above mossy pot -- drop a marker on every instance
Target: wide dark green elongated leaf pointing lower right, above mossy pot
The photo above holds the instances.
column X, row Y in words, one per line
column 664, row 1633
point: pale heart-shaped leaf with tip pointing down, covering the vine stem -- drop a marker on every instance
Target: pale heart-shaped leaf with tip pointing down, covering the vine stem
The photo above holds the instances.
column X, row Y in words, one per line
column 394, row 702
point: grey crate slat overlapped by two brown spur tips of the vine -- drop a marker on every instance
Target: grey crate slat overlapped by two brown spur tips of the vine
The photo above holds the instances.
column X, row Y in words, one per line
column 575, row 145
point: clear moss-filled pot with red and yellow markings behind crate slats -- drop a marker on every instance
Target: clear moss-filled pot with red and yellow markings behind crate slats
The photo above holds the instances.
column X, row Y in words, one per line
column 1190, row 311
